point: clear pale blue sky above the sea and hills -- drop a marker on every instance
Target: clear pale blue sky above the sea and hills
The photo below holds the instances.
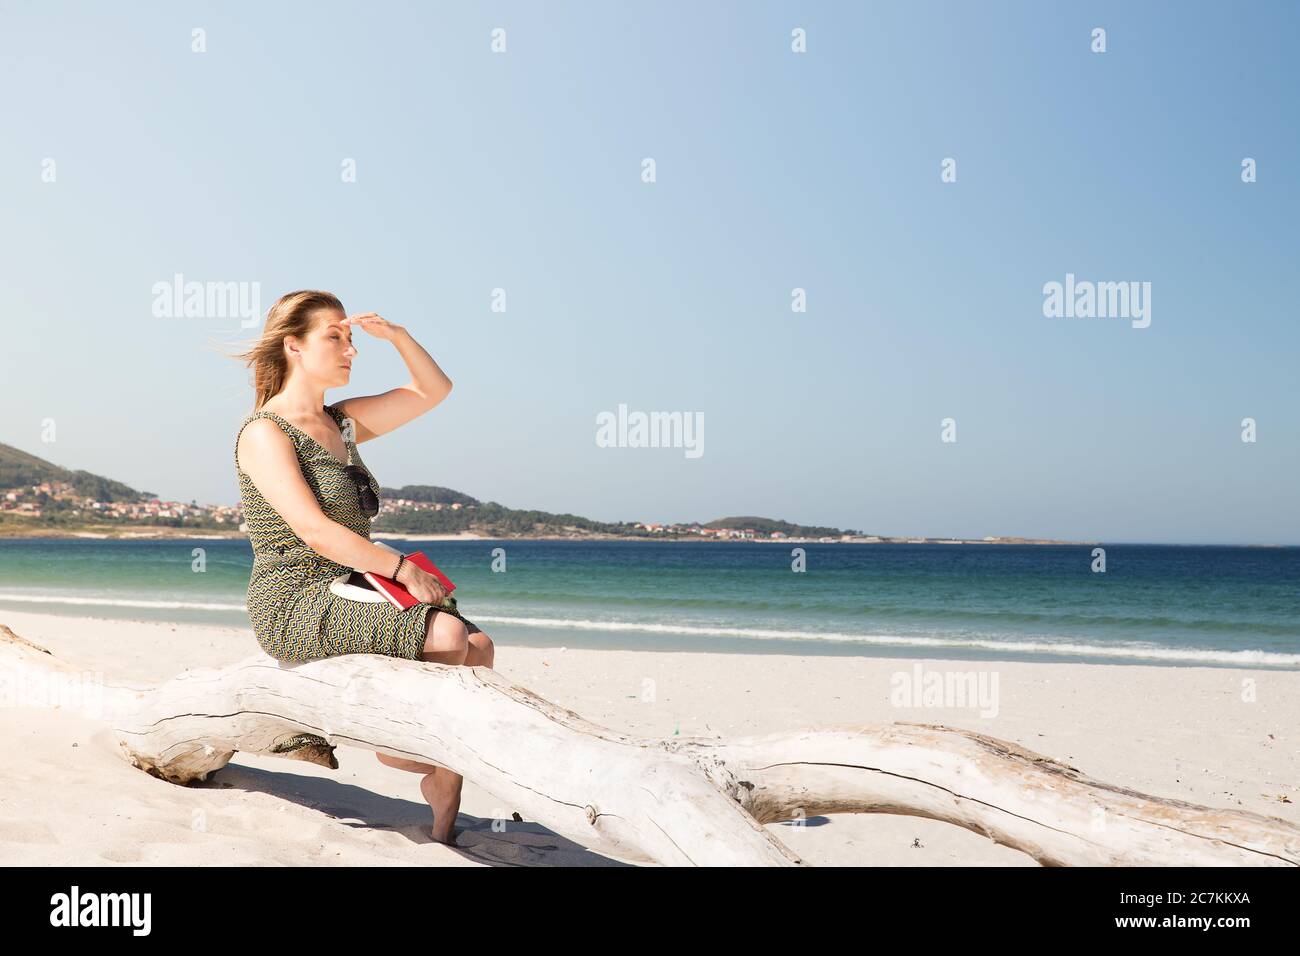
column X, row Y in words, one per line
column 775, row 171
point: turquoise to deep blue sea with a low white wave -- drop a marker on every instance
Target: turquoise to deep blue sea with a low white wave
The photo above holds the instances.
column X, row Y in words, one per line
column 1154, row 604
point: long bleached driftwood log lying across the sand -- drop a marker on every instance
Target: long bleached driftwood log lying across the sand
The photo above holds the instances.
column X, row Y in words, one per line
column 673, row 802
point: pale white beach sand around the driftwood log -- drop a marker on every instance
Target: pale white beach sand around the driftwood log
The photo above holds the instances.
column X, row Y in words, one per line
column 70, row 798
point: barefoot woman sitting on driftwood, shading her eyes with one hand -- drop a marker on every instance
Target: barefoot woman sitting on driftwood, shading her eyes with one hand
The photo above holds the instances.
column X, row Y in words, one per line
column 309, row 503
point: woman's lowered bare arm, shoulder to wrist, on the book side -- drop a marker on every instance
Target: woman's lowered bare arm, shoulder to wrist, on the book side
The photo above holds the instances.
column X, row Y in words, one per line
column 268, row 458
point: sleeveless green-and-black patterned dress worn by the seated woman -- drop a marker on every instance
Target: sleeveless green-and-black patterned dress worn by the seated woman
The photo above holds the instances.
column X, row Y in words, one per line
column 294, row 615
